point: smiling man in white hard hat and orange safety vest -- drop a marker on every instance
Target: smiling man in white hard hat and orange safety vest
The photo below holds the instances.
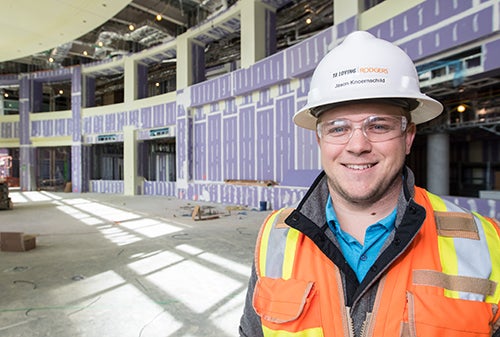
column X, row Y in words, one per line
column 366, row 252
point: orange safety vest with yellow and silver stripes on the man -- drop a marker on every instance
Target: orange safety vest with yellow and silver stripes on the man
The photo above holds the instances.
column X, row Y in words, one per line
column 432, row 289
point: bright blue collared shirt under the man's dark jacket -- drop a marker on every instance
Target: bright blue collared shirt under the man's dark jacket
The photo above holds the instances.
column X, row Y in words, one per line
column 361, row 256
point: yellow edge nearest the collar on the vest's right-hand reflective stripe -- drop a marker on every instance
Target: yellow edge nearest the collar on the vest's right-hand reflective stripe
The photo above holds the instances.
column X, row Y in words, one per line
column 447, row 253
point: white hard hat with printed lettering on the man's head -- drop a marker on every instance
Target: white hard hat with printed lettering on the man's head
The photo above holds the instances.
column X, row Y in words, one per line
column 364, row 67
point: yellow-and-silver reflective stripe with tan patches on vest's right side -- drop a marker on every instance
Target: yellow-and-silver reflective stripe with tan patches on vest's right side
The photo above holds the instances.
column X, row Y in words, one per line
column 465, row 258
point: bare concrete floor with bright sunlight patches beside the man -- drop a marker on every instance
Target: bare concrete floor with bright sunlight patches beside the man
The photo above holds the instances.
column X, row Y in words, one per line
column 113, row 265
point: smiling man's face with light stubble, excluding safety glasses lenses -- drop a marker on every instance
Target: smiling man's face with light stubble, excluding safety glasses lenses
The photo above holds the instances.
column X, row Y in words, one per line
column 361, row 171
